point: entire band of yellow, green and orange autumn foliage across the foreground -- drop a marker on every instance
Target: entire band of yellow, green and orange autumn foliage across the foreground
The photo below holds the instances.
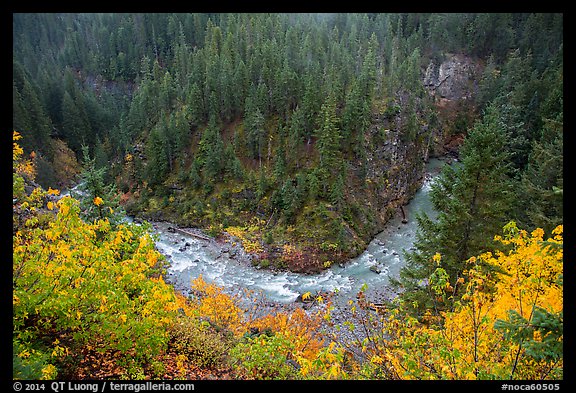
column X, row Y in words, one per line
column 89, row 301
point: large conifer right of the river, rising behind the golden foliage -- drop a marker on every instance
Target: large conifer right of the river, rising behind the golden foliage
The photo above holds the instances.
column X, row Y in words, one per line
column 472, row 201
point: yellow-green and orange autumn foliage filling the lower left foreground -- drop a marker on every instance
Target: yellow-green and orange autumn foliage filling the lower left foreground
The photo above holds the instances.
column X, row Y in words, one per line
column 89, row 301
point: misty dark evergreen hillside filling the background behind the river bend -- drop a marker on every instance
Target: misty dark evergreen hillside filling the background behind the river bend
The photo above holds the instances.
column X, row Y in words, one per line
column 307, row 130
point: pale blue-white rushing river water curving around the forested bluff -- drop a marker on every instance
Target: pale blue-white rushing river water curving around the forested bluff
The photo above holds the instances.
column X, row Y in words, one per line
column 191, row 257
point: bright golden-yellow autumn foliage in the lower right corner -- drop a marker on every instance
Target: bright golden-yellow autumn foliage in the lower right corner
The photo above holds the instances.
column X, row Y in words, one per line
column 506, row 325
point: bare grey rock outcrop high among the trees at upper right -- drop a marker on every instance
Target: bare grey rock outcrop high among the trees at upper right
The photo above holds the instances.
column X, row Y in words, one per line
column 454, row 79
